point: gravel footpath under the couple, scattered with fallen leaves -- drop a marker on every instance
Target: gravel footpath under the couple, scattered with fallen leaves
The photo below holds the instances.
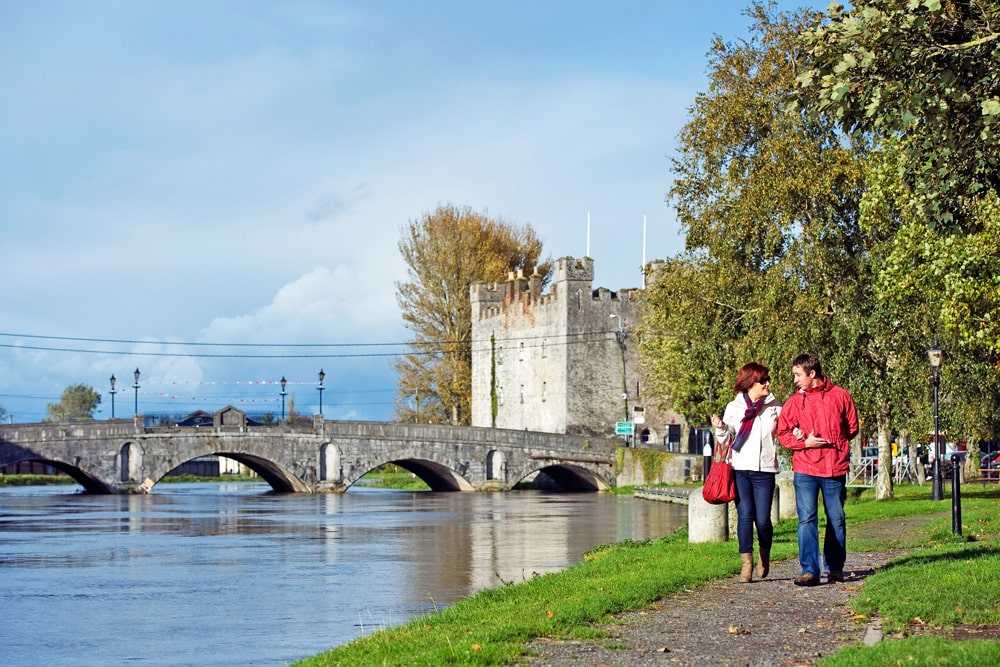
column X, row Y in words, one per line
column 767, row 622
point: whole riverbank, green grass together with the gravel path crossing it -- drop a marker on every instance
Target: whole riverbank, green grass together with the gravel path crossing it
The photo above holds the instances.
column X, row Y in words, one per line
column 619, row 606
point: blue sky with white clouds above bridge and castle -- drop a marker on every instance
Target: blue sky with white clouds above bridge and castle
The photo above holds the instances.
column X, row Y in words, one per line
column 213, row 191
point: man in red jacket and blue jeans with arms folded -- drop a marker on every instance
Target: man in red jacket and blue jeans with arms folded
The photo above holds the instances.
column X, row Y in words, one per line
column 817, row 423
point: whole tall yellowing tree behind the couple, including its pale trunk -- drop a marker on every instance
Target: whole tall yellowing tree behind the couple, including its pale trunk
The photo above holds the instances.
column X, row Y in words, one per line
column 778, row 258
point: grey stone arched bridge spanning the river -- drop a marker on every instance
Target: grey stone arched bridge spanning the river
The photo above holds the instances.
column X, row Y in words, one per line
column 116, row 456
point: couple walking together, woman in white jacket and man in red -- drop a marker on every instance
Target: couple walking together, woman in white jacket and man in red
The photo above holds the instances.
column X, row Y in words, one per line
column 817, row 424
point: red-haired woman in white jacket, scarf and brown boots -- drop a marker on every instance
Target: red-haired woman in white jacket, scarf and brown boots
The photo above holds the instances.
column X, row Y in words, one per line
column 750, row 425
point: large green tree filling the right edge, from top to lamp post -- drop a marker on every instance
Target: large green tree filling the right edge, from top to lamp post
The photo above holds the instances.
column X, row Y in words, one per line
column 922, row 78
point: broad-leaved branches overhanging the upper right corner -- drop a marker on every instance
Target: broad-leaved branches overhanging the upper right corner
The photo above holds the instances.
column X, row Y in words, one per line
column 927, row 71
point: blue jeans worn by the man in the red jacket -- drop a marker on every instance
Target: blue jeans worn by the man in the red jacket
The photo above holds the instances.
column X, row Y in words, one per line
column 807, row 489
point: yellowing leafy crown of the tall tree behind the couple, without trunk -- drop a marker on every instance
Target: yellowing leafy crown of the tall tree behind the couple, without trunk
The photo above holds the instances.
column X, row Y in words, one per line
column 768, row 201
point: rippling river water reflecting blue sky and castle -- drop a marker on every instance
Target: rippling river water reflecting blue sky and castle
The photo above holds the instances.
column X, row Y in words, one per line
column 232, row 574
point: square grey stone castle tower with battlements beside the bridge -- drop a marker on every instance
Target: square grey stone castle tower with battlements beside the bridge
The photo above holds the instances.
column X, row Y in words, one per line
column 561, row 362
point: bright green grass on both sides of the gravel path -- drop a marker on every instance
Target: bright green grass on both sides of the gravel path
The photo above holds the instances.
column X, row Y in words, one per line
column 491, row 627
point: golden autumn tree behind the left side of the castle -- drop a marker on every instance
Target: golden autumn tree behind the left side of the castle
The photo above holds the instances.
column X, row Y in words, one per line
column 445, row 251
